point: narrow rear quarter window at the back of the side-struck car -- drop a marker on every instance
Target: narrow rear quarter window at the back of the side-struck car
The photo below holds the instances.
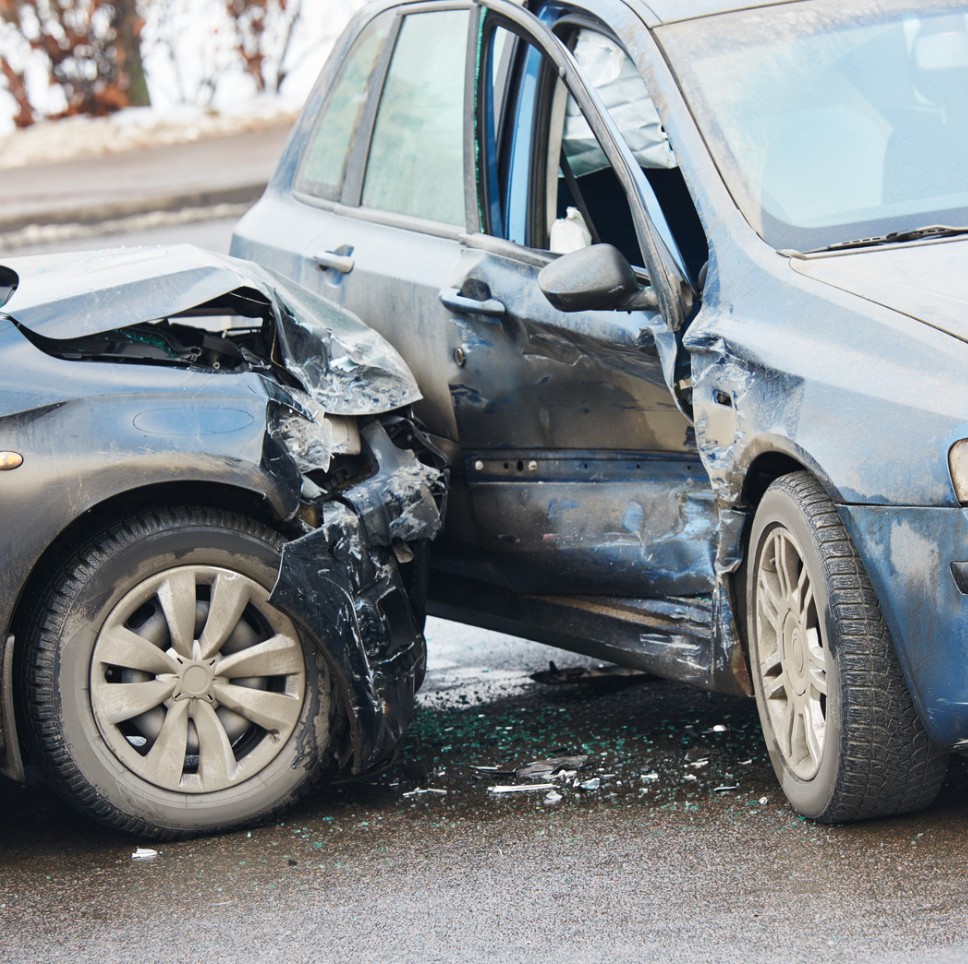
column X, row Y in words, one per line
column 323, row 165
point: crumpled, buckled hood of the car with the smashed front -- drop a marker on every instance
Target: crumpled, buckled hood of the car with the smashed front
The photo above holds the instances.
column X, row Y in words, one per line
column 344, row 365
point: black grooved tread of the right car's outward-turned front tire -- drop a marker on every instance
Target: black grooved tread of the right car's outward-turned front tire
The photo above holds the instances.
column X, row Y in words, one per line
column 889, row 764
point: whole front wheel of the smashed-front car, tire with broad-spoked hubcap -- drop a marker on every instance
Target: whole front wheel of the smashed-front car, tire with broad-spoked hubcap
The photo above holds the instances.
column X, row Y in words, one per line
column 163, row 694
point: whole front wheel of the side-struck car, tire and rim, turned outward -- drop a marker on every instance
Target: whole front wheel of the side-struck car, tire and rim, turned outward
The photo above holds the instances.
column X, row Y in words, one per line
column 841, row 729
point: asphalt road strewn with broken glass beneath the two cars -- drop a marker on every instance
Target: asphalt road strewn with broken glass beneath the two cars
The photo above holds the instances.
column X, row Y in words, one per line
column 678, row 847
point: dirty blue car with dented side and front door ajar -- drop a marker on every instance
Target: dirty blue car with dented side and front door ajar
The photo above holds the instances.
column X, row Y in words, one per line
column 682, row 285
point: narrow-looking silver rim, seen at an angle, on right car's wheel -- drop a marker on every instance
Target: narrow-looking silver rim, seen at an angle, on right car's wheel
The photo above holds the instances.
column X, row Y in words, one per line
column 792, row 656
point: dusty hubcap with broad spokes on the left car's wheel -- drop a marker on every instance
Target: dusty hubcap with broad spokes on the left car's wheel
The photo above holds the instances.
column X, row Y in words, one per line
column 196, row 681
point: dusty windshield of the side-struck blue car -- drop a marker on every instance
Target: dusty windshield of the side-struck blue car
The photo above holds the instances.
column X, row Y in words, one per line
column 832, row 121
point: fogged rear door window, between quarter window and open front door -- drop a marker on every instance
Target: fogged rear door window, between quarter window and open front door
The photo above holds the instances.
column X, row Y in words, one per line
column 416, row 161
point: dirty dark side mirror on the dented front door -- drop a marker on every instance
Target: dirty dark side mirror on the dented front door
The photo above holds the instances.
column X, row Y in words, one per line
column 598, row 278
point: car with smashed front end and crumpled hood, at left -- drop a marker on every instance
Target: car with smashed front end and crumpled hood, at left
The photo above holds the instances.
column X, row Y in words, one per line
column 198, row 442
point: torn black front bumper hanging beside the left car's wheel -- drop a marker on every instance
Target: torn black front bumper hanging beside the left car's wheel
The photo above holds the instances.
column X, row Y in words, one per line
column 341, row 582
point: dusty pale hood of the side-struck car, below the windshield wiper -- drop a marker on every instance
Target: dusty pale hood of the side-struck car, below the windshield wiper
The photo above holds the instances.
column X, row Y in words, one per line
column 927, row 281
